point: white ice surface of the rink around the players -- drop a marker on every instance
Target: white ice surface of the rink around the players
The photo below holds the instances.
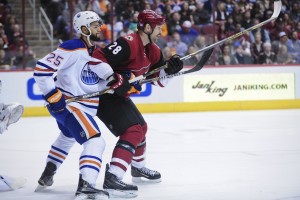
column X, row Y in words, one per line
column 240, row 155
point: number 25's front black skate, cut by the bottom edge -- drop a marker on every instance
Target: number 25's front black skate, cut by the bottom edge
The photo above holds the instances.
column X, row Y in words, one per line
column 86, row 191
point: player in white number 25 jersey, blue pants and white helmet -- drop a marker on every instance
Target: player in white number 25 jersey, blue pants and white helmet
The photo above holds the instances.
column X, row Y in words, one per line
column 66, row 72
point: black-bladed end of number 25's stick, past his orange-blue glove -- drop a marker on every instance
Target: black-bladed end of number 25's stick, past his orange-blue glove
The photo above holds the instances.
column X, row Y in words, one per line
column 206, row 55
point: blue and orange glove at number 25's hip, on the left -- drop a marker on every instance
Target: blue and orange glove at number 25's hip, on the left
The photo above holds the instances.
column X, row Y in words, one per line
column 56, row 101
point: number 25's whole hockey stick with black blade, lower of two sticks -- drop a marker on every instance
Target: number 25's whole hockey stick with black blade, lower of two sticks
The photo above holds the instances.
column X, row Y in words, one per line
column 197, row 67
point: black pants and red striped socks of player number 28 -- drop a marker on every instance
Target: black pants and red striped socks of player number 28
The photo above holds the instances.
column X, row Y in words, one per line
column 123, row 119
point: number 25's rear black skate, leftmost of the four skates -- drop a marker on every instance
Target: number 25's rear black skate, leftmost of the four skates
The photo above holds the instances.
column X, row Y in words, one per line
column 47, row 176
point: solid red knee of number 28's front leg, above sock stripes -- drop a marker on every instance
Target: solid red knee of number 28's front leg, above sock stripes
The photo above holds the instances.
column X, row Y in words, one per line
column 133, row 135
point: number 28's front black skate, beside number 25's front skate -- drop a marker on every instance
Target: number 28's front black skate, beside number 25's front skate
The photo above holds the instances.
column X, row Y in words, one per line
column 117, row 188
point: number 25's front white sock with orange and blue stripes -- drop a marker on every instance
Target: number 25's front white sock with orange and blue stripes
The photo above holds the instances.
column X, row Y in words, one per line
column 91, row 159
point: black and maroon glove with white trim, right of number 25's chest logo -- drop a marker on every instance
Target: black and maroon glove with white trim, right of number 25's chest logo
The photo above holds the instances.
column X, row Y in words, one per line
column 119, row 83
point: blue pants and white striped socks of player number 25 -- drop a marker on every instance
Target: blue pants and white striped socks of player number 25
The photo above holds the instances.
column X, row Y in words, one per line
column 81, row 127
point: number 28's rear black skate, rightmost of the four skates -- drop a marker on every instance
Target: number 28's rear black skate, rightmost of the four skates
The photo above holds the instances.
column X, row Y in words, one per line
column 145, row 173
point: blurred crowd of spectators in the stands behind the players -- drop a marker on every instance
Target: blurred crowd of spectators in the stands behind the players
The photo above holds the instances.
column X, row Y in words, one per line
column 190, row 26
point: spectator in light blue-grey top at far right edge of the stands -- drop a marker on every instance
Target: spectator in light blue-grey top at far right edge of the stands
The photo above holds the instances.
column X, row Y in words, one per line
column 293, row 46
